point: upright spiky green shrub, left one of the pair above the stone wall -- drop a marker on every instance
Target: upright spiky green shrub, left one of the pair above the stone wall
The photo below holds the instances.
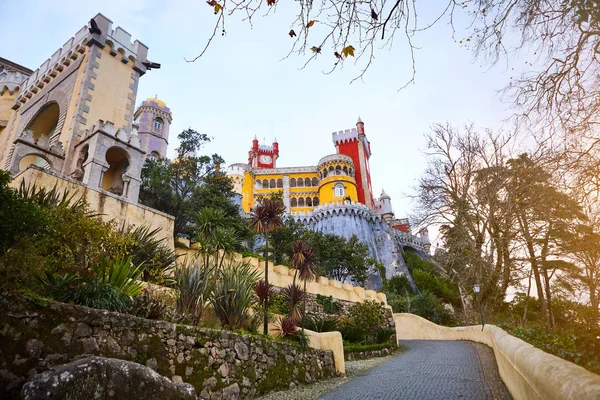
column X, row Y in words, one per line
column 193, row 281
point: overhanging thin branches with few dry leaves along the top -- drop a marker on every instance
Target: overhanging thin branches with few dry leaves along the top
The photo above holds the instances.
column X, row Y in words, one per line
column 559, row 90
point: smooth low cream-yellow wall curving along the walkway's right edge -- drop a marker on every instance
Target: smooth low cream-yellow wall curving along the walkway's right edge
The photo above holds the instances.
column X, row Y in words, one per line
column 527, row 372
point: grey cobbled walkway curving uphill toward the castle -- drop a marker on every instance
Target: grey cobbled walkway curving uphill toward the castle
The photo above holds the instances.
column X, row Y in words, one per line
column 429, row 369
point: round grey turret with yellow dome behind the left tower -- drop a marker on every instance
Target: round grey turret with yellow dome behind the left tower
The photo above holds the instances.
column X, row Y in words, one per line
column 153, row 119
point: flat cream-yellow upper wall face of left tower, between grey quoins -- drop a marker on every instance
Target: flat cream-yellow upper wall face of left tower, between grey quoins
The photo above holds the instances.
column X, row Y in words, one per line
column 111, row 90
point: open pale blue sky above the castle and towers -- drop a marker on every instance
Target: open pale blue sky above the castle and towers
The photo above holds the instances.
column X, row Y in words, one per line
column 241, row 87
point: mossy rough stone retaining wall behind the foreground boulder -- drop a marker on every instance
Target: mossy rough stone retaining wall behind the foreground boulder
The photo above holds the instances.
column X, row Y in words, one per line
column 35, row 336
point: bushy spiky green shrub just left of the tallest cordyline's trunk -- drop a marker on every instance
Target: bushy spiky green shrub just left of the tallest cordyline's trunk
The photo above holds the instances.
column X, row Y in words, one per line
column 233, row 295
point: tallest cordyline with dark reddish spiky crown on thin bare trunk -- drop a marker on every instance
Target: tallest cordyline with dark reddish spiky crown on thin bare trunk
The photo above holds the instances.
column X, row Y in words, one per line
column 266, row 217
